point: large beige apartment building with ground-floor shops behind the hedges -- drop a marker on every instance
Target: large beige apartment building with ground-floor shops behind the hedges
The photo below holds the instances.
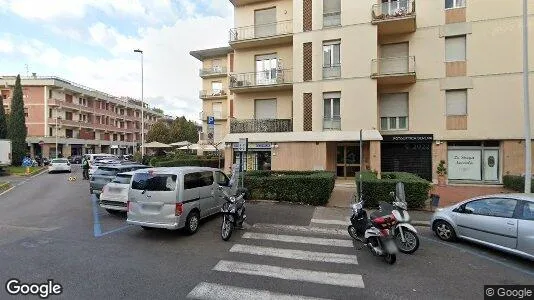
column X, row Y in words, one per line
column 426, row 80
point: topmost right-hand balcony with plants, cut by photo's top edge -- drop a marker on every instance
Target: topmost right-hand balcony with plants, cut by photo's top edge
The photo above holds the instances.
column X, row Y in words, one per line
column 394, row 17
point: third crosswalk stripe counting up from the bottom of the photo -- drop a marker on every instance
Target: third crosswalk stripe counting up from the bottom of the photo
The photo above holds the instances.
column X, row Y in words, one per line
column 296, row 254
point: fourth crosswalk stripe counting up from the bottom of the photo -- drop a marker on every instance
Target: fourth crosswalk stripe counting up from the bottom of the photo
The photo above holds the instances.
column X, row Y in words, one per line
column 298, row 239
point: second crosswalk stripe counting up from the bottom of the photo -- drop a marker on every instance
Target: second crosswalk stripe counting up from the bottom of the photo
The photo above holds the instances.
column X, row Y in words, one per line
column 337, row 279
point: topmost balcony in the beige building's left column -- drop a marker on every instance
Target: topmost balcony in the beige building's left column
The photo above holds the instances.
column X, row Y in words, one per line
column 262, row 35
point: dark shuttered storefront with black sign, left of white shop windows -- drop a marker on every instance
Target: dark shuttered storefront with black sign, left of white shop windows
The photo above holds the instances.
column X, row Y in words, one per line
column 407, row 153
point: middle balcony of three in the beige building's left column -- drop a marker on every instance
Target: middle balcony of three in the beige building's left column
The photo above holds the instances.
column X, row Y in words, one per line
column 274, row 80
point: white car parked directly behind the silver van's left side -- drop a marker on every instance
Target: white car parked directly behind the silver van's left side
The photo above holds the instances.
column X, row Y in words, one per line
column 114, row 196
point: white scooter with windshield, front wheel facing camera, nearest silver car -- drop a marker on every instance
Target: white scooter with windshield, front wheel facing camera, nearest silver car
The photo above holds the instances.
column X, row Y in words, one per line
column 405, row 234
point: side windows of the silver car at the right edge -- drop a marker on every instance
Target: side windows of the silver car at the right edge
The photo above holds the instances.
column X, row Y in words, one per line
column 493, row 207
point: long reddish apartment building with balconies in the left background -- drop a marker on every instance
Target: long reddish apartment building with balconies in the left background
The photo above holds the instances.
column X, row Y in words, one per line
column 82, row 120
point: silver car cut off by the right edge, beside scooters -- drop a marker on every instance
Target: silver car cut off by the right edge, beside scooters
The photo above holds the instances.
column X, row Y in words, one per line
column 503, row 221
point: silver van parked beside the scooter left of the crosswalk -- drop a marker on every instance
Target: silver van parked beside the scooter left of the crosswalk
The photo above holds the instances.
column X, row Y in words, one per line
column 175, row 198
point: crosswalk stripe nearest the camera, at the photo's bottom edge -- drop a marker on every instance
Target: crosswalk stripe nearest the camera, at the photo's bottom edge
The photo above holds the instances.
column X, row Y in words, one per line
column 212, row 291
